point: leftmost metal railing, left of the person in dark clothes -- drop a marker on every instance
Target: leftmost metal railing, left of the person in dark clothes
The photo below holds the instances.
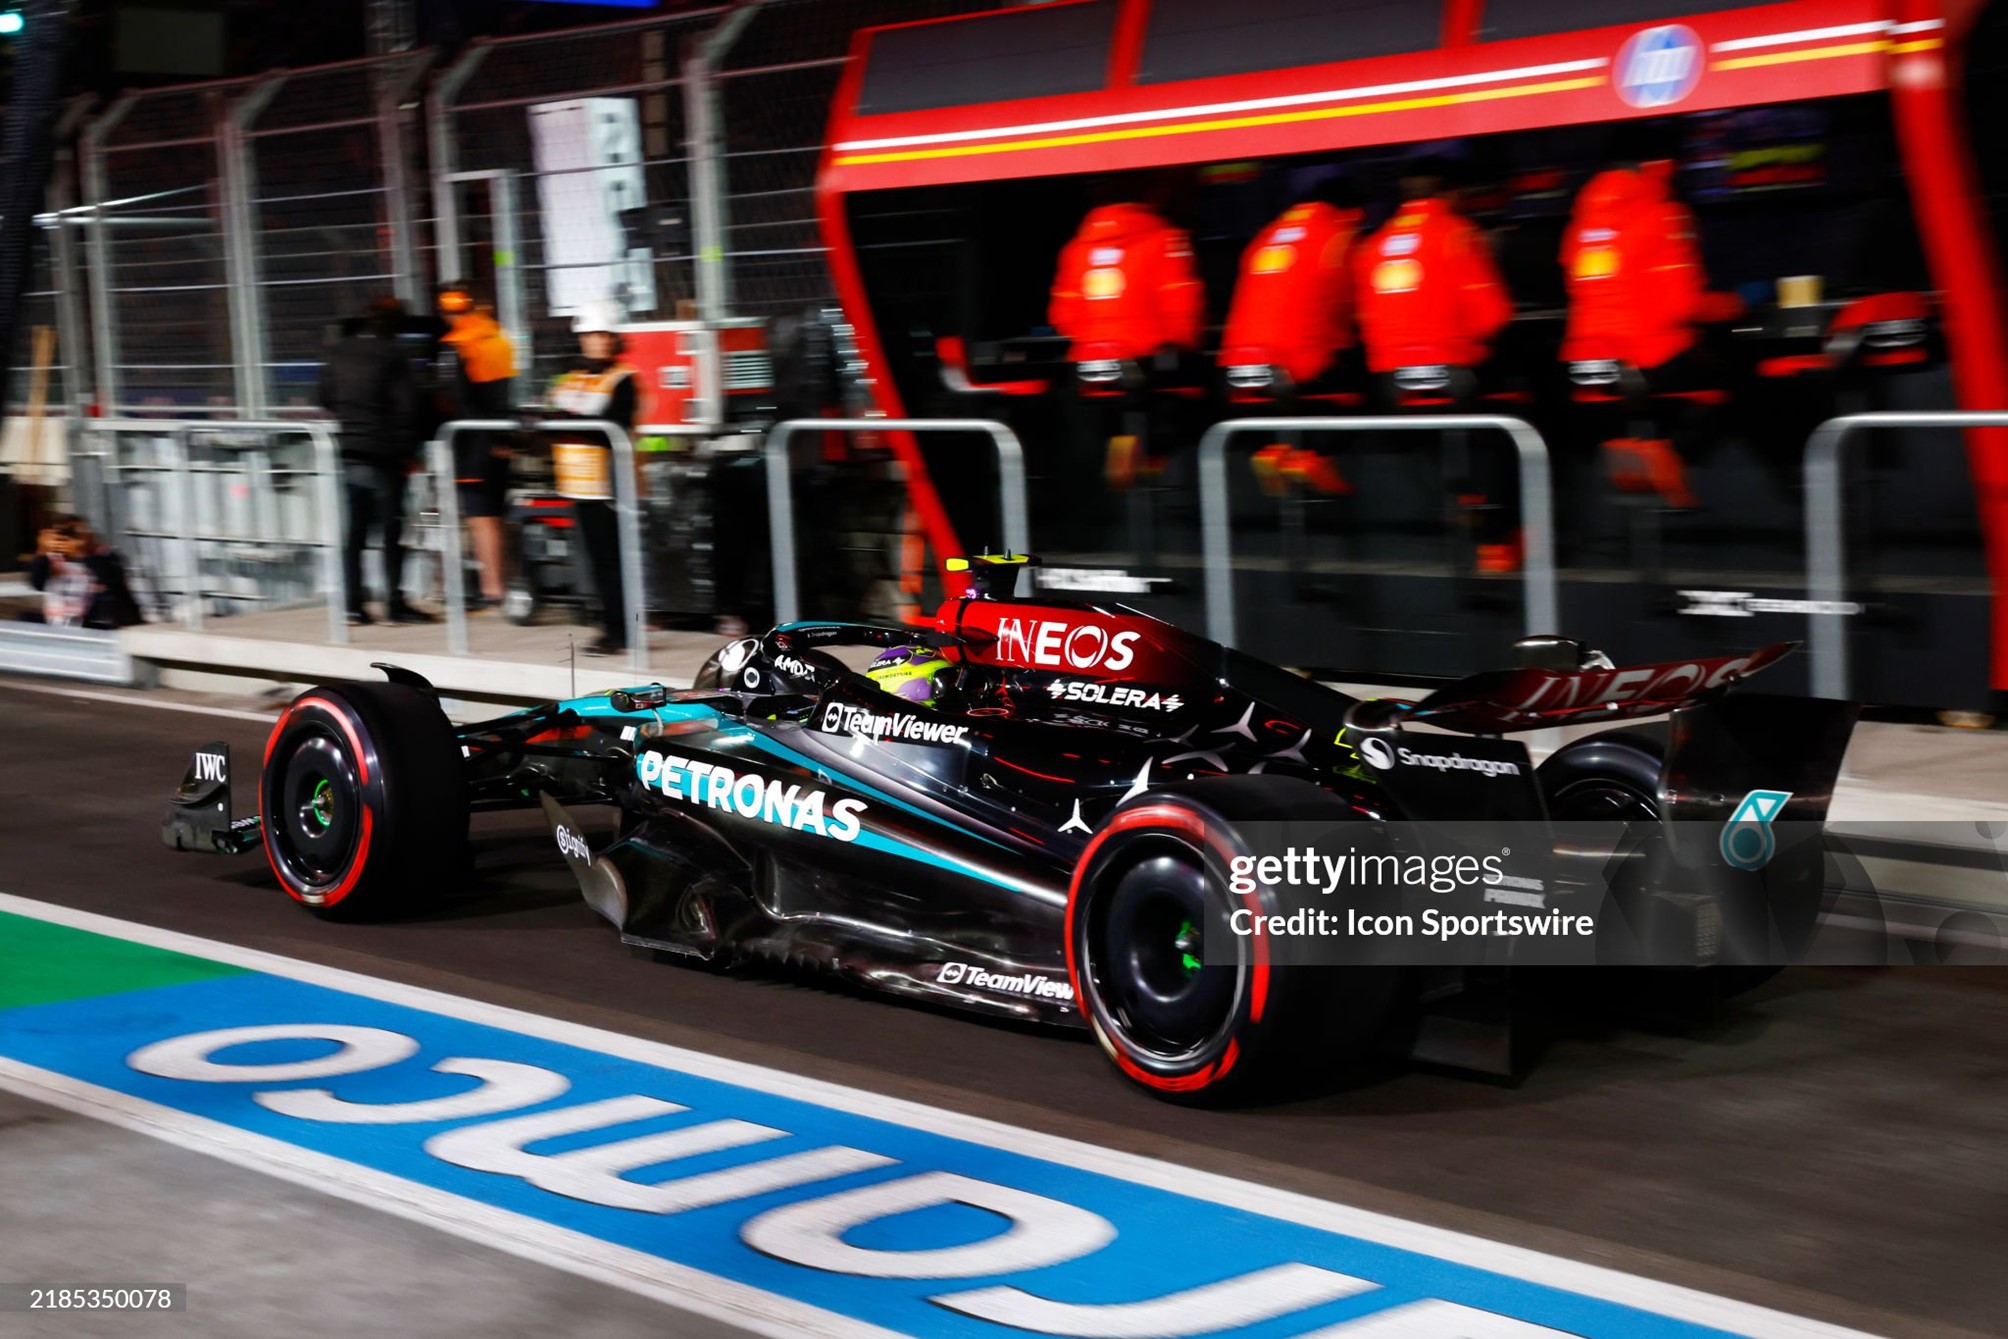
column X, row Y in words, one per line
column 188, row 539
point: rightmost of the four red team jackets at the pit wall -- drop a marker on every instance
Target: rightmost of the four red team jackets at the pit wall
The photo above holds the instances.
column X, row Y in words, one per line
column 1634, row 270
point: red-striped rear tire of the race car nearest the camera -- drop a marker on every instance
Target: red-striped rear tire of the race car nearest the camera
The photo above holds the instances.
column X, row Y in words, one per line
column 1148, row 892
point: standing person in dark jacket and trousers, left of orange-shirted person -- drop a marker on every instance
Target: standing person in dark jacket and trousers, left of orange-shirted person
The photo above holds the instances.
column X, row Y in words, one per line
column 368, row 388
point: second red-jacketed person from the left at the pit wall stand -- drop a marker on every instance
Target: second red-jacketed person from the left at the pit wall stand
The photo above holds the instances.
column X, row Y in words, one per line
column 1294, row 310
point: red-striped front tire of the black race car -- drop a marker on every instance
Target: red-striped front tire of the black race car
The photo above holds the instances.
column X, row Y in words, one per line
column 364, row 800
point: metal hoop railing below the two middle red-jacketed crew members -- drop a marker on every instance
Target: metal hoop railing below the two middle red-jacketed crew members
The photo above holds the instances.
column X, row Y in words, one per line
column 1537, row 505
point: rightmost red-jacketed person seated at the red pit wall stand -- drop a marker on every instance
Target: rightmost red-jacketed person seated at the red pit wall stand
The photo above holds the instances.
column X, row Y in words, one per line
column 1638, row 298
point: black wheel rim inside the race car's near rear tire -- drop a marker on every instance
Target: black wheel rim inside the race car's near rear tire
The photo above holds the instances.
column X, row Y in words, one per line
column 1146, row 963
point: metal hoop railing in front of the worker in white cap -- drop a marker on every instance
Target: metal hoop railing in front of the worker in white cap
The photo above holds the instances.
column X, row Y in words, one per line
column 627, row 519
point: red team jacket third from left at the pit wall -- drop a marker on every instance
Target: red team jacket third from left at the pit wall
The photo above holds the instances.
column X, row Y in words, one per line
column 1429, row 290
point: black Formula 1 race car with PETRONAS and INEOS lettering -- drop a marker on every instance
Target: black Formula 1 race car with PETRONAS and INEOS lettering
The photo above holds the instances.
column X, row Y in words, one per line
column 1037, row 830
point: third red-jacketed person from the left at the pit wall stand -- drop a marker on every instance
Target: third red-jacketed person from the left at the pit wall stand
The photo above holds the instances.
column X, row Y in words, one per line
column 1431, row 304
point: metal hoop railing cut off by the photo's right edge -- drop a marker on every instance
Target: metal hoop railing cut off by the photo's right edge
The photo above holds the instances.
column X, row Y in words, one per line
column 1826, row 541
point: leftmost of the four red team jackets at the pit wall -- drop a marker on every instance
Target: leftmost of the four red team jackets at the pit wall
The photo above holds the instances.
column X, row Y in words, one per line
column 1127, row 286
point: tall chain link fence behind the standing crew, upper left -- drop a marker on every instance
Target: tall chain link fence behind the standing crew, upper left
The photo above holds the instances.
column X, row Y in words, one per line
column 224, row 230
